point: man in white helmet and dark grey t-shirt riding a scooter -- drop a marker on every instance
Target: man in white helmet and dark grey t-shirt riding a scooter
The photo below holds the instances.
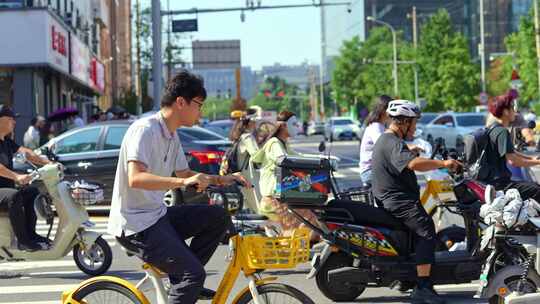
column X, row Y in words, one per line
column 398, row 191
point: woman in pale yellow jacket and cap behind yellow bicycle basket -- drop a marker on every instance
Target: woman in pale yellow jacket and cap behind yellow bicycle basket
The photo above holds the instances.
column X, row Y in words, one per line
column 275, row 147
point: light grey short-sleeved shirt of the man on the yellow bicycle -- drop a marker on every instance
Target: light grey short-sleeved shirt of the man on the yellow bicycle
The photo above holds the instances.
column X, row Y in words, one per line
column 147, row 141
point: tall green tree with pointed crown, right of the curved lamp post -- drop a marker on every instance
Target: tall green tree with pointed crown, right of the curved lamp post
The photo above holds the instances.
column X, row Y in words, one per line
column 448, row 78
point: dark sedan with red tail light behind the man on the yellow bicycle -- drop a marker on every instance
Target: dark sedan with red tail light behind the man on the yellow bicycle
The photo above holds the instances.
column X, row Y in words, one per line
column 91, row 152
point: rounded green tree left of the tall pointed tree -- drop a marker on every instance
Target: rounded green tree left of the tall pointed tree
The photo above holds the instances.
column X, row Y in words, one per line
column 364, row 69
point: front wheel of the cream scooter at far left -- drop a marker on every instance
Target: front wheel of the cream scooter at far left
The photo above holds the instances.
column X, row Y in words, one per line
column 95, row 260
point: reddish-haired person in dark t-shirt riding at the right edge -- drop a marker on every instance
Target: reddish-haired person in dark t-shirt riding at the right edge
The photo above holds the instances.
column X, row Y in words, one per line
column 500, row 151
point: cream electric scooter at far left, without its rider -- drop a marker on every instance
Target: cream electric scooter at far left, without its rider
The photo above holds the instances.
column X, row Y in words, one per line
column 91, row 252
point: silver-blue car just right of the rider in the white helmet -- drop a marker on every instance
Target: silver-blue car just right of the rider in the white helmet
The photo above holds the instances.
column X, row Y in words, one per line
column 452, row 127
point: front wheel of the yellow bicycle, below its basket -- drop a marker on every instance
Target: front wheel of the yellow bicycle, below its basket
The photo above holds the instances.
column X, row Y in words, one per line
column 276, row 294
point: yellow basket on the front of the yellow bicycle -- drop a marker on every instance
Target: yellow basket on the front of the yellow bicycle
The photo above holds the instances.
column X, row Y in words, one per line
column 277, row 252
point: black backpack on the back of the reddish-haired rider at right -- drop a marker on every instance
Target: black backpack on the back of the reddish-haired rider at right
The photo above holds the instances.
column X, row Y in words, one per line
column 475, row 152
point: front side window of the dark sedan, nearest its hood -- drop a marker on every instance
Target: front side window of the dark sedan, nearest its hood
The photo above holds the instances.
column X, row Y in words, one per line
column 82, row 141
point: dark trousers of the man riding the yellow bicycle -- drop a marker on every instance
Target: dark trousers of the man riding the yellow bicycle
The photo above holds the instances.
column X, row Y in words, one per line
column 163, row 245
